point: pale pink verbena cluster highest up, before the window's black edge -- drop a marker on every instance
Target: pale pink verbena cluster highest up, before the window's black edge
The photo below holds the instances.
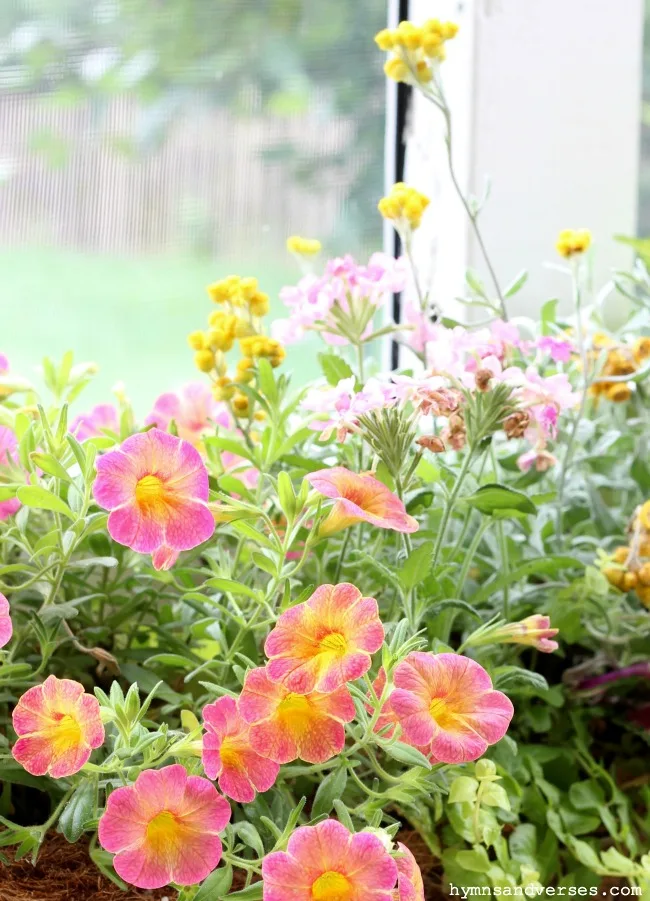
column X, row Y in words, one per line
column 345, row 284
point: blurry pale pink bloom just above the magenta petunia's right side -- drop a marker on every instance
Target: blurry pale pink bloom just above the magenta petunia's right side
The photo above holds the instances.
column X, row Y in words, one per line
column 193, row 409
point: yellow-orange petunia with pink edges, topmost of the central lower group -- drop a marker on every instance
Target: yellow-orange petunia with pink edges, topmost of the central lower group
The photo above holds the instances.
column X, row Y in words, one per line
column 326, row 641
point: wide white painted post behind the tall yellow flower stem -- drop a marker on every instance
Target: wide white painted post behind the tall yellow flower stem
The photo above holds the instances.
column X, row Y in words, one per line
column 546, row 100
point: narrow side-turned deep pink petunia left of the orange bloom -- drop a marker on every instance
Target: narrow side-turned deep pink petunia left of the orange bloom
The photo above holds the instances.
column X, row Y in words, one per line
column 229, row 756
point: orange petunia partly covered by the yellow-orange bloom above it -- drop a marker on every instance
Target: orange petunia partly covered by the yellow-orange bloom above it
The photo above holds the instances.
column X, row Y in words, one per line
column 286, row 726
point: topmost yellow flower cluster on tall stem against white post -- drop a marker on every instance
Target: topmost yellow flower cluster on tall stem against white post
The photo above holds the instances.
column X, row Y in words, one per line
column 415, row 49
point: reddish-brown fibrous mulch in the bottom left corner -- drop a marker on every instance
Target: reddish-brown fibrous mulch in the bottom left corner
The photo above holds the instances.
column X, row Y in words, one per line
column 65, row 872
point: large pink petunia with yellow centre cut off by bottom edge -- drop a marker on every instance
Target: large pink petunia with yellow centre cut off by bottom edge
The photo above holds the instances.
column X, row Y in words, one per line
column 328, row 863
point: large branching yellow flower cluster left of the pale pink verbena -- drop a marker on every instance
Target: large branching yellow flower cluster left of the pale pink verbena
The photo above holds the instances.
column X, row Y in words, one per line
column 241, row 308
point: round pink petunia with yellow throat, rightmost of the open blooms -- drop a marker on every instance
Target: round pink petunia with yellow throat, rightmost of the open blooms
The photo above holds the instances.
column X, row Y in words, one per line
column 446, row 701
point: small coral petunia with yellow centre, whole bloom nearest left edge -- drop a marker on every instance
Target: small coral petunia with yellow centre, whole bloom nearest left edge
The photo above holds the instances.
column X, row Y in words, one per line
column 58, row 726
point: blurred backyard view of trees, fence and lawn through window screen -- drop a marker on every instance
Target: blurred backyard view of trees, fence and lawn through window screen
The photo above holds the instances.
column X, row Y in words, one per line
column 150, row 149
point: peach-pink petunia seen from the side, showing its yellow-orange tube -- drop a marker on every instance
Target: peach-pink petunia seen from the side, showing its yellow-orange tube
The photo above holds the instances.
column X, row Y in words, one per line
column 359, row 498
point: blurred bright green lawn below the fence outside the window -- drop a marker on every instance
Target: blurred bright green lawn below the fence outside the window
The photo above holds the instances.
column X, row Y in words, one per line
column 130, row 316
